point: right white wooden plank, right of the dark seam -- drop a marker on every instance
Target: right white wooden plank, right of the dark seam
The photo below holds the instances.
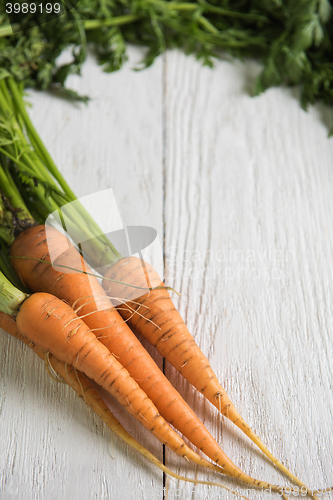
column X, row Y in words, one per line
column 249, row 240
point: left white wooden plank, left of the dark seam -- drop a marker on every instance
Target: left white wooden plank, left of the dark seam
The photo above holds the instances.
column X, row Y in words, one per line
column 51, row 446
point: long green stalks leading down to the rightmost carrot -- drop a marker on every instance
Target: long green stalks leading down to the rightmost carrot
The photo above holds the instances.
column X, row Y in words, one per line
column 38, row 163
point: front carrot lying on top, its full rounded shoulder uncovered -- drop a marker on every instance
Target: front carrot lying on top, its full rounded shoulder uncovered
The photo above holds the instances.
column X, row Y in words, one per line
column 53, row 326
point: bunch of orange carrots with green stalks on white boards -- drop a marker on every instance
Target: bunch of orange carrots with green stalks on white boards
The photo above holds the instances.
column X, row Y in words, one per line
column 88, row 326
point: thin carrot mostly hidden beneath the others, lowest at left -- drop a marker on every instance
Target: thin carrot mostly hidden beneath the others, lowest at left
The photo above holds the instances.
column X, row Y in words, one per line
column 92, row 398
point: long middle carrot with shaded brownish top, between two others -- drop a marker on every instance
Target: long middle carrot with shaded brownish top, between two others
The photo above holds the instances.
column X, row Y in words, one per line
column 80, row 291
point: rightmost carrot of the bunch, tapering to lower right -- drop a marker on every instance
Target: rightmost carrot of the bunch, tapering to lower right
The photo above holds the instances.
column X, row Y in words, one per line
column 154, row 316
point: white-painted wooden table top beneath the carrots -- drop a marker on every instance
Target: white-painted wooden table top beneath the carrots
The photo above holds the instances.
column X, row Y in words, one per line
column 240, row 190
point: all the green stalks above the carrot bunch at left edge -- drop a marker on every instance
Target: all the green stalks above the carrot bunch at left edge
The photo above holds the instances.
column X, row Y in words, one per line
column 30, row 183
